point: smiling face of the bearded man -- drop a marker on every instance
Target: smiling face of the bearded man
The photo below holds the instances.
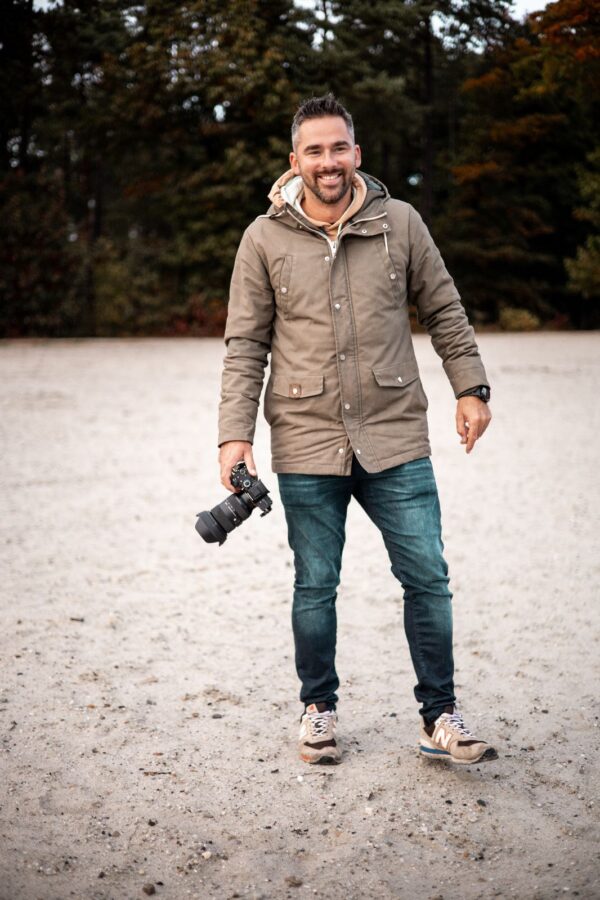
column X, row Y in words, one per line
column 326, row 158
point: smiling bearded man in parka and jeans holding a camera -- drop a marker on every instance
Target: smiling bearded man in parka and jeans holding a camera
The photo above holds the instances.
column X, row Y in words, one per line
column 323, row 282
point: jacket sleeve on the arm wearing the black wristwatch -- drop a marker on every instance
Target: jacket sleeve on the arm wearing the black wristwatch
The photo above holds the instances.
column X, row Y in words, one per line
column 440, row 311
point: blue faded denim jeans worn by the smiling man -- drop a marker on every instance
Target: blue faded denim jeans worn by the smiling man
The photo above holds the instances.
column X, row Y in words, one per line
column 403, row 503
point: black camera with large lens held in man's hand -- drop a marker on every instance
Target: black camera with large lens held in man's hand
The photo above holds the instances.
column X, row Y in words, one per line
column 215, row 525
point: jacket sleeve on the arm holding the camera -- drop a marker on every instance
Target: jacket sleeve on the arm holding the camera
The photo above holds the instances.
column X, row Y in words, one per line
column 248, row 340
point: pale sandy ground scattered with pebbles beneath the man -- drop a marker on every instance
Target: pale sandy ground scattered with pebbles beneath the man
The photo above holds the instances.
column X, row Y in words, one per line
column 148, row 701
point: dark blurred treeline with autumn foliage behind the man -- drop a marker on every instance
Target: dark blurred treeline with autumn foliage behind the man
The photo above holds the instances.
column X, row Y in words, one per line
column 139, row 139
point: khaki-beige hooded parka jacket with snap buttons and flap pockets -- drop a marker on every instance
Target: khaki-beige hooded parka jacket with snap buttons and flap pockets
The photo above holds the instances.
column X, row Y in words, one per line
column 334, row 317
